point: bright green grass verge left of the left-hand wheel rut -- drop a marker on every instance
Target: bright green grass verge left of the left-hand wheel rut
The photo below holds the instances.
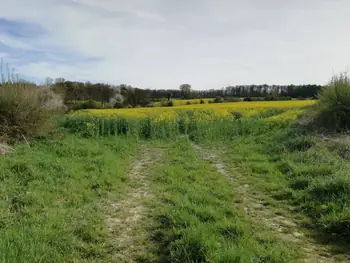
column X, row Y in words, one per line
column 51, row 207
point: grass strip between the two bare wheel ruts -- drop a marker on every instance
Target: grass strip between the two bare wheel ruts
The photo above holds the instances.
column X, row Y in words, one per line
column 196, row 220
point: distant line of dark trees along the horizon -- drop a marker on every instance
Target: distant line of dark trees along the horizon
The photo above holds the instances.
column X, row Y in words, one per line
column 128, row 96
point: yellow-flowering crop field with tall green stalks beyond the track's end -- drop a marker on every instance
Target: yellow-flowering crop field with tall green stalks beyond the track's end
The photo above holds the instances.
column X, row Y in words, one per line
column 199, row 119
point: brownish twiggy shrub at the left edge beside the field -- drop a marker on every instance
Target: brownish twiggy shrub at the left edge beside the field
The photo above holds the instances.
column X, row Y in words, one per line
column 25, row 109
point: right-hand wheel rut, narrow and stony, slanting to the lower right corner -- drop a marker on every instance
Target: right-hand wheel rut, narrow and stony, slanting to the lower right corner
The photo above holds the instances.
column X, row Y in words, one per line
column 285, row 228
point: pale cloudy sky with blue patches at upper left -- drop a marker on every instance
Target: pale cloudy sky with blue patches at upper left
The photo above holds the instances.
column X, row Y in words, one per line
column 162, row 44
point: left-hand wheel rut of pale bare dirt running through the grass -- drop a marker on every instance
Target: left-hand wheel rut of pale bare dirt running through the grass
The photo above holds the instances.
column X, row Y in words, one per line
column 126, row 219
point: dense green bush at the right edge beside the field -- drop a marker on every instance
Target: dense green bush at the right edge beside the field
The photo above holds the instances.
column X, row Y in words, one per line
column 332, row 112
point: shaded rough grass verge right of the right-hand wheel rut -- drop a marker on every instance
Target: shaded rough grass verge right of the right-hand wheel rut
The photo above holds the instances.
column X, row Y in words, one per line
column 299, row 168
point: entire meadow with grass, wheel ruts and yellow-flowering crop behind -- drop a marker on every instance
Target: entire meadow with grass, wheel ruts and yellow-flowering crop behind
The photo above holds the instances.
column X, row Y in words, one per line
column 221, row 183
